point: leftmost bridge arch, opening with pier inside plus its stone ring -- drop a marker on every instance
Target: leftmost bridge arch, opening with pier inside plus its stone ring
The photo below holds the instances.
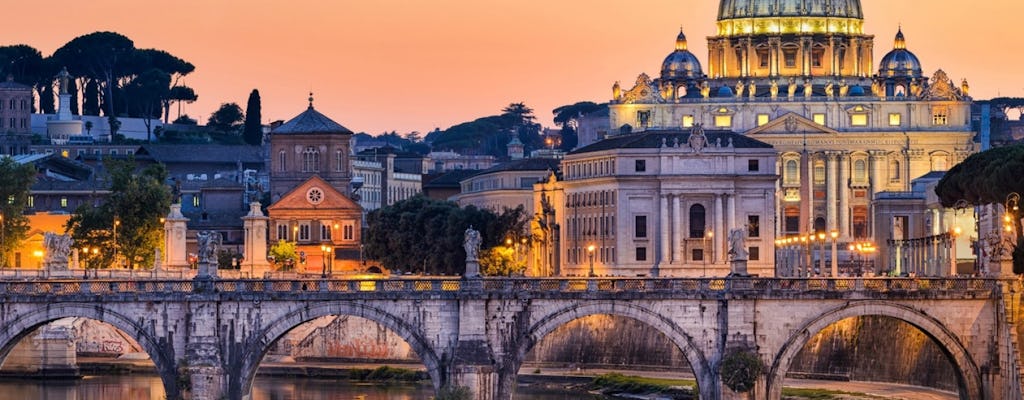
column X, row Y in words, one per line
column 56, row 343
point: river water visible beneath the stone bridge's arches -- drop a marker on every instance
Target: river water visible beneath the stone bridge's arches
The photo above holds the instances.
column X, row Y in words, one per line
column 266, row 388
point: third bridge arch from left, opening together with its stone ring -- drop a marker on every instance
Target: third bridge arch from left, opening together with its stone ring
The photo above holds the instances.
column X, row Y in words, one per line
column 602, row 337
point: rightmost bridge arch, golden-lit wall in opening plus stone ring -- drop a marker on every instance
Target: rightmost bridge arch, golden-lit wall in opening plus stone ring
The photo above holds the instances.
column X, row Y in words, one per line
column 877, row 342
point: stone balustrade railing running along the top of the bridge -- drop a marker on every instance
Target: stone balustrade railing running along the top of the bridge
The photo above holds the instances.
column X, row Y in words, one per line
column 456, row 285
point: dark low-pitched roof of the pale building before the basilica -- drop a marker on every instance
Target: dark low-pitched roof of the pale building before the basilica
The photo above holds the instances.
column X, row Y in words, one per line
column 654, row 140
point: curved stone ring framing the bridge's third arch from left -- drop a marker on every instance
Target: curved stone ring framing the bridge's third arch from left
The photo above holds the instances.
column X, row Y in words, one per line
column 705, row 376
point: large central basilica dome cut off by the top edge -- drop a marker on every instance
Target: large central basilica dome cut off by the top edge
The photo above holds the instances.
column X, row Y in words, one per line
column 738, row 18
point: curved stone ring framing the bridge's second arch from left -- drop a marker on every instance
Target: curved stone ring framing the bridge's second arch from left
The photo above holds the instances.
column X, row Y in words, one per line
column 240, row 385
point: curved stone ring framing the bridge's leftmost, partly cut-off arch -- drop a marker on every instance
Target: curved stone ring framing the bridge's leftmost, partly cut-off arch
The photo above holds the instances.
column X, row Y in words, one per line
column 161, row 351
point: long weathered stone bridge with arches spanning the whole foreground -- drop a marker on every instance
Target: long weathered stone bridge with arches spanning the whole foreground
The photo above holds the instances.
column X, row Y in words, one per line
column 207, row 337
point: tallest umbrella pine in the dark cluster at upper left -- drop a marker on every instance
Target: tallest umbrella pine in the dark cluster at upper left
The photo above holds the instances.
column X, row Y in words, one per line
column 105, row 57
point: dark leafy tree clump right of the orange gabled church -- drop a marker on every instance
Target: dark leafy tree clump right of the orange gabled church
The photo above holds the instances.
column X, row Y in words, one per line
column 426, row 236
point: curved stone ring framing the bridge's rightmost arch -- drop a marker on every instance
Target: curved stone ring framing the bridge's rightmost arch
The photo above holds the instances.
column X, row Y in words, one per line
column 968, row 374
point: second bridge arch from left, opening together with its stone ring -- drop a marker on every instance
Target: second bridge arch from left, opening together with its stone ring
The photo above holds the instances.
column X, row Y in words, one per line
column 328, row 348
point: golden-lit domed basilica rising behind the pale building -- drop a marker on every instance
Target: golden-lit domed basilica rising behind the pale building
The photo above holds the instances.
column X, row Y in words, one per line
column 799, row 75
